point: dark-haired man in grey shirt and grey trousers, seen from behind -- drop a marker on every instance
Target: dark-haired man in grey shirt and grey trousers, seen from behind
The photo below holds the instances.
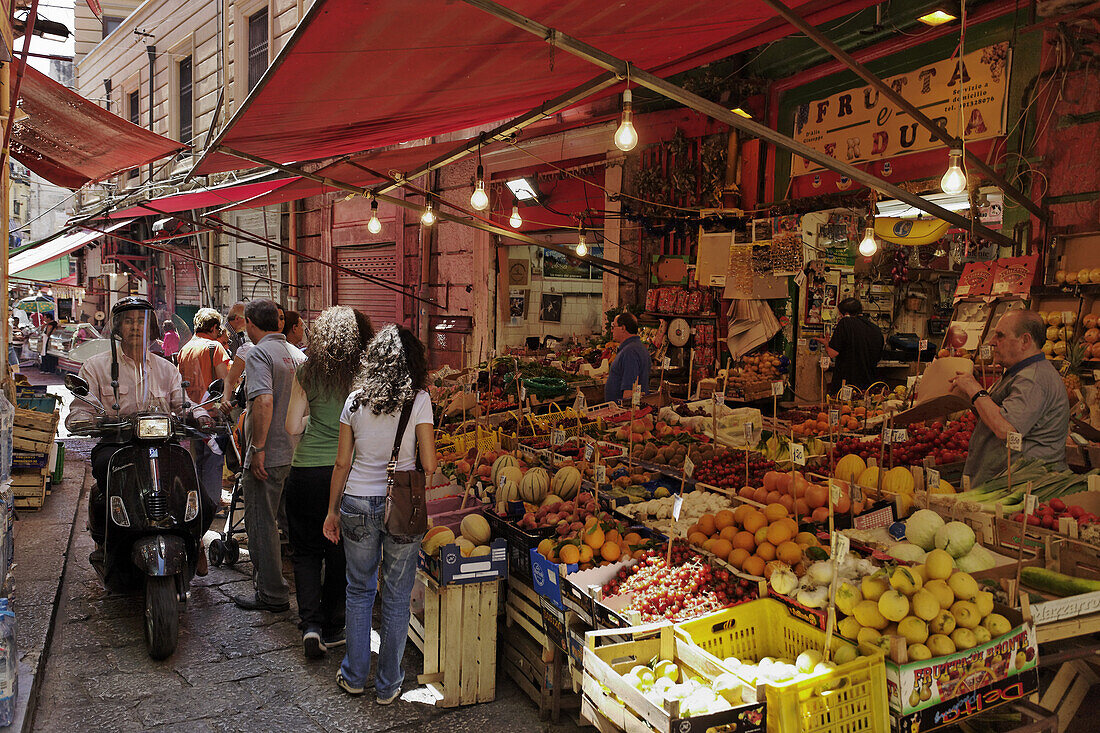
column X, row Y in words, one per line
column 270, row 370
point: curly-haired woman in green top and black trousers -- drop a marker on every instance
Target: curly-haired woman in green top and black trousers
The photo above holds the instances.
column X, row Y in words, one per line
column 337, row 345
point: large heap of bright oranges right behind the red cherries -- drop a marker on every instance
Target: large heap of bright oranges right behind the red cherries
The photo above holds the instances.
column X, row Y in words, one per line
column 750, row 539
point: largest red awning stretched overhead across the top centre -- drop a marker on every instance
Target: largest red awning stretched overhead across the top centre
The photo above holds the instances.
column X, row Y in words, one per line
column 360, row 75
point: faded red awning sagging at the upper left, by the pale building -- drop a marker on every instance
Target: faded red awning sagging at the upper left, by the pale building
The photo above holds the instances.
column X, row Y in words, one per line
column 71, row 141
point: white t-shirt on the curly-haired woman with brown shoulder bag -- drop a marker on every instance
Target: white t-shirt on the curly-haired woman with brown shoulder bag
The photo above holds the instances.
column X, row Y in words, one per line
column 375, row 444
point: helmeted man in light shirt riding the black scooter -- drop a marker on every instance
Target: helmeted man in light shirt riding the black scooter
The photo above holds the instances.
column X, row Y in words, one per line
column 128, row 379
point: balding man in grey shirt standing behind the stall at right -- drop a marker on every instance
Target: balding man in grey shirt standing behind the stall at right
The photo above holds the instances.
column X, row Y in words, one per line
column 1030, row 399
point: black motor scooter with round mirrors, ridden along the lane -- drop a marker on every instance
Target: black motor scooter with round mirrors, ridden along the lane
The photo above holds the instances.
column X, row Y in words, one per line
column 153, row 532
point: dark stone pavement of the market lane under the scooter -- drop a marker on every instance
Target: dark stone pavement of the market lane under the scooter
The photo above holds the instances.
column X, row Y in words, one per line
column 234, row 671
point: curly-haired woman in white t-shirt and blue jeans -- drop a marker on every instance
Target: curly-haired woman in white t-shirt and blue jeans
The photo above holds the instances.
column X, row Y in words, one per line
column 394, row 380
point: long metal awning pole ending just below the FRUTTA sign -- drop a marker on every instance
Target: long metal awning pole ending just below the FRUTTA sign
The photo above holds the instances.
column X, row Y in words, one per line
column 717, row 112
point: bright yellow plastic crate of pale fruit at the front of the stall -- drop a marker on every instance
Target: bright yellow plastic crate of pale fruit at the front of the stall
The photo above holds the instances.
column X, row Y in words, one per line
column 852, row 699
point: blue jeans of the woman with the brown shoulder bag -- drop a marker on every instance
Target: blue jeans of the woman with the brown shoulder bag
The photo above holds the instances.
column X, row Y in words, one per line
column 367, row 545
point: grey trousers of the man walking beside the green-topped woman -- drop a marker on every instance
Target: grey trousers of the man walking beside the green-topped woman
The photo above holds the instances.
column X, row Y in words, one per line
column 262, row 501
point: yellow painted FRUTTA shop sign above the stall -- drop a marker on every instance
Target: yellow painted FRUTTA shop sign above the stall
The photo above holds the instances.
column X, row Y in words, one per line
column 861, row 125
